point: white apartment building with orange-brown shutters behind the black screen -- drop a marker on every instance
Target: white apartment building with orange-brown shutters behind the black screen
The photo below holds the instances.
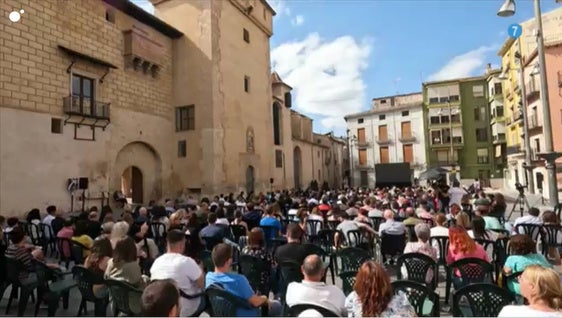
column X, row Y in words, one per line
column 392, row 131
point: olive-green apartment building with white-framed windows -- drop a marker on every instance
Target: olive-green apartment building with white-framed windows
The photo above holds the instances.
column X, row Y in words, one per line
column 457, row 121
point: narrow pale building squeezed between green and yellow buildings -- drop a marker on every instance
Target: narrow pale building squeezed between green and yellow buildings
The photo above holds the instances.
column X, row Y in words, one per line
column 497, row 121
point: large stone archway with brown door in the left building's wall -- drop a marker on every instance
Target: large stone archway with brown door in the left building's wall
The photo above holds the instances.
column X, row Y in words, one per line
column 138, row 170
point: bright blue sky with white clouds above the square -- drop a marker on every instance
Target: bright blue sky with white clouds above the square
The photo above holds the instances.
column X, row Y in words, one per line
column 339, row 54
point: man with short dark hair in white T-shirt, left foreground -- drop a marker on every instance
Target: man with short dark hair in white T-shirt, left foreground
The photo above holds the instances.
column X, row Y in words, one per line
column 188, row 276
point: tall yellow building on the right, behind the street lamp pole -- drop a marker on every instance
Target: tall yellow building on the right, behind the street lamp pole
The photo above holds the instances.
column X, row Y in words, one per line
column 511, row 51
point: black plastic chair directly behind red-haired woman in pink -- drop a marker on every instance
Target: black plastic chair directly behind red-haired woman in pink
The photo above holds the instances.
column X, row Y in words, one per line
column 472, row 271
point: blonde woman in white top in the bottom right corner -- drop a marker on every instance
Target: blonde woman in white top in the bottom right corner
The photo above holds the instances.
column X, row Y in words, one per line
column 541, row 287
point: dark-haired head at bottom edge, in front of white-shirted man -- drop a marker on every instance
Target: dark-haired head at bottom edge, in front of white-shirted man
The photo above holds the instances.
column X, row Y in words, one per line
column 160, row 299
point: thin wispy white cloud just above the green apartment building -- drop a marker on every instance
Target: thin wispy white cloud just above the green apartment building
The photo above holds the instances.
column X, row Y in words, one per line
column 464, row 65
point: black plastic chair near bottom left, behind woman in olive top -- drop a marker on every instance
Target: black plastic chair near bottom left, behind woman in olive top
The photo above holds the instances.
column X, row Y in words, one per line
column 120, row 294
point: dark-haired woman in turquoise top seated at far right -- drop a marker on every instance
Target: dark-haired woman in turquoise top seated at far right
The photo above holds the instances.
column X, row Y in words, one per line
column 523, row 254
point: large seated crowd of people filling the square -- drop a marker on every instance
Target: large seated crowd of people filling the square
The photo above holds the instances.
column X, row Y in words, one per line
column 158, row 248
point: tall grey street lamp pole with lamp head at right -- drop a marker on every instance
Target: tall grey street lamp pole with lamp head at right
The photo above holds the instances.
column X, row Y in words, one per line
column 506, row 10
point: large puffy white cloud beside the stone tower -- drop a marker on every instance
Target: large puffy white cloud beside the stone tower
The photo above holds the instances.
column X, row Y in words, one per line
column 326, row 76
